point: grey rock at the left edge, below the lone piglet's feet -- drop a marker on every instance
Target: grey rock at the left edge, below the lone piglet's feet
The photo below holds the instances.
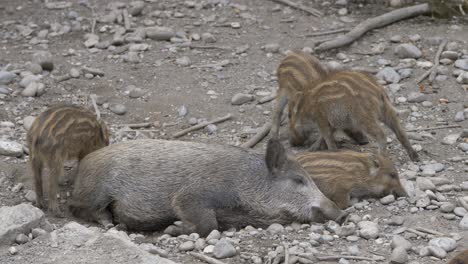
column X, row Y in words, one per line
column 19, row 219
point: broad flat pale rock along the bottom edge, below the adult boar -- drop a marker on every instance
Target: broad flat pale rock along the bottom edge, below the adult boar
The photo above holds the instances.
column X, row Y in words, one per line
column 74, row 243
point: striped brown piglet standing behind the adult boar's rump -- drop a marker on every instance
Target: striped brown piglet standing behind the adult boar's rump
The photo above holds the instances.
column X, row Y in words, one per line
column 61, row 133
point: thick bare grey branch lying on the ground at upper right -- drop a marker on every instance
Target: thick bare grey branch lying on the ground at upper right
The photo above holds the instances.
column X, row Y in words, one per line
column 373, row 23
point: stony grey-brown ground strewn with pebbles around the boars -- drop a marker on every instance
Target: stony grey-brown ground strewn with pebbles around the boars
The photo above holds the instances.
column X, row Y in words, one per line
column 173, row 64
